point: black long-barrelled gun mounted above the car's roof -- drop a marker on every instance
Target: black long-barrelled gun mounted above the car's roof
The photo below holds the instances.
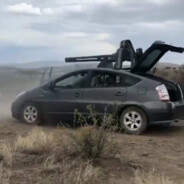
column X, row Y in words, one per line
column 126, row 52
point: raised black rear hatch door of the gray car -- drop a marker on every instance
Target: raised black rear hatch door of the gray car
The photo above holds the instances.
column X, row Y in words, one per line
column 152, row 55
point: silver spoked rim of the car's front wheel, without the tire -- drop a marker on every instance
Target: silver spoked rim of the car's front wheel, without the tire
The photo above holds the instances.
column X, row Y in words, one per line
column 30, row 114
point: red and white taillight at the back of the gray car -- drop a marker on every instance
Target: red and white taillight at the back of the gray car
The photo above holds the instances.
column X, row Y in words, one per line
column 163, row 93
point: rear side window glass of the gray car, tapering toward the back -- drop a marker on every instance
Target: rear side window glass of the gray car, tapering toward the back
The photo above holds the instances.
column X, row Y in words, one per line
column 110, row 79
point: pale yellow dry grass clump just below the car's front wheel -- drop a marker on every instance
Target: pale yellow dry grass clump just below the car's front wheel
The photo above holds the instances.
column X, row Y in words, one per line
column 36, row 142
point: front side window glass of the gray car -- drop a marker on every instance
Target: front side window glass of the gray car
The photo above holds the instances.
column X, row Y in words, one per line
column 74, row 81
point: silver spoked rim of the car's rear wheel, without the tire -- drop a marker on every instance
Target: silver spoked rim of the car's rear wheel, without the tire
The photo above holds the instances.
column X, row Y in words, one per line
column 132, row 120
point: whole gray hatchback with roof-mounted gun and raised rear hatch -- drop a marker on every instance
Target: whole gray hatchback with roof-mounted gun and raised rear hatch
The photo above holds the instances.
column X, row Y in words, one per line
column 136, row 97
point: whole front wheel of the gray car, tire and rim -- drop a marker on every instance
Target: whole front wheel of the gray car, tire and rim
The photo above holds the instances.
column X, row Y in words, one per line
column 30, row 114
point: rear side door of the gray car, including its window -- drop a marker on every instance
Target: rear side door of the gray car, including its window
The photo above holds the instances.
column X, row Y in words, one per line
column 105, row 91
